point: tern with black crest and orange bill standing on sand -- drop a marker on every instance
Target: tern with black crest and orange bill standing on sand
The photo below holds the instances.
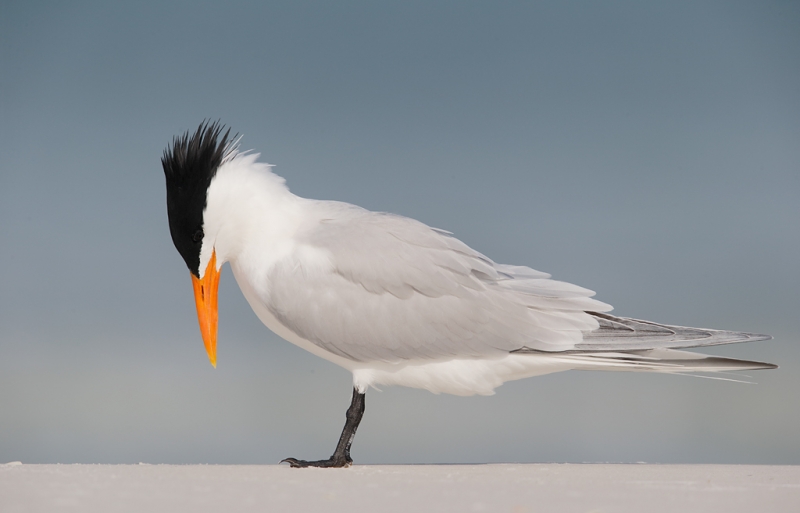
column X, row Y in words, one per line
column 389, row 298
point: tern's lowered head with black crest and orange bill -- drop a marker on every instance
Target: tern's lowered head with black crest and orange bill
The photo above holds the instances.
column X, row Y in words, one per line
column 190, row 164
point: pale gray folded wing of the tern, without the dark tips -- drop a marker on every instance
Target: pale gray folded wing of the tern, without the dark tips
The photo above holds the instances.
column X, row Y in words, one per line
column 389, row 288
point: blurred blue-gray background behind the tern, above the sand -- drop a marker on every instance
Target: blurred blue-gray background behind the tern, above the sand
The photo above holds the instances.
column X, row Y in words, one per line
column 648, row 151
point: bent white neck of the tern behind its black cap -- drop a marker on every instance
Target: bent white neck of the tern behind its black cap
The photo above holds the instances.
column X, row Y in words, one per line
column 249, row 208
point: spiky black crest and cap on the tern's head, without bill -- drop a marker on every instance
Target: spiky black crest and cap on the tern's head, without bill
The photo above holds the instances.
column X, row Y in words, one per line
column 189, row 165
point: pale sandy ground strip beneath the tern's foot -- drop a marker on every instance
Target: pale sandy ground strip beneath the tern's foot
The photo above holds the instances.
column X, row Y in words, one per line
column 462, row 488
